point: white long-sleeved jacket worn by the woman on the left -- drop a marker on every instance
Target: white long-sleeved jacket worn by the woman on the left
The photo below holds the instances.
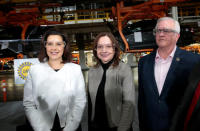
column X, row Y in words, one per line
column 47, row 92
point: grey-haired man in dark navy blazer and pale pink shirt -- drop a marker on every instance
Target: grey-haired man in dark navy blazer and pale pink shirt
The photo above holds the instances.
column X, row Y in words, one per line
column 163, row 77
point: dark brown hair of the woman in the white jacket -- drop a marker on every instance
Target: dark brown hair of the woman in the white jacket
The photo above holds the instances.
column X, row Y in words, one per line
column 66, row 57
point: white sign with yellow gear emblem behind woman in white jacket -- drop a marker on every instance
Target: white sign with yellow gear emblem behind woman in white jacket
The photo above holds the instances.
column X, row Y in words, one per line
column 21, row 68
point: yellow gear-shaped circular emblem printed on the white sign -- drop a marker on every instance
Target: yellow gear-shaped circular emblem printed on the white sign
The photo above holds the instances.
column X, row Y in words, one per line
column 23, row 70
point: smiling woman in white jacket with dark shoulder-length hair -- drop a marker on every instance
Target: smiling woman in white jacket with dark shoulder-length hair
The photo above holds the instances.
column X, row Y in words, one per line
column 54, row 92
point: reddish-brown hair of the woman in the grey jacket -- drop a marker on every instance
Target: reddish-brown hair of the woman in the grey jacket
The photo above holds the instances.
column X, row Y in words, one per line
column 114, row 44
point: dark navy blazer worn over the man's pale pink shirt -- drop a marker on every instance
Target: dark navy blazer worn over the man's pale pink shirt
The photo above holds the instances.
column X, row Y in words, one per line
column 156, row 111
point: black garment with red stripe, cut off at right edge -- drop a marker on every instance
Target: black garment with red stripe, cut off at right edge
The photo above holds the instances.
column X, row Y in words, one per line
column 181, row 113
